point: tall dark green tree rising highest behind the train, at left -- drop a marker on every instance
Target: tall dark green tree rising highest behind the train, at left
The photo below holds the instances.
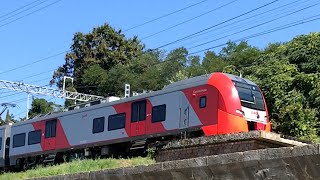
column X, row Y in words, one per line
column 104, row 47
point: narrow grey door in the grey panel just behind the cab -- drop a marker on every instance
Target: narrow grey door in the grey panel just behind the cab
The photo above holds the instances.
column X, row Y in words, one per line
column 184, row 112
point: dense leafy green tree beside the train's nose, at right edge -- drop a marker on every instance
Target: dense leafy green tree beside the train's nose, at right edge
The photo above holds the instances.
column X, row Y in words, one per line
column 291, row 92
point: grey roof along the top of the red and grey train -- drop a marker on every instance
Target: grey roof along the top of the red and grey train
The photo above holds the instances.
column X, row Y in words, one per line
column 179, row 85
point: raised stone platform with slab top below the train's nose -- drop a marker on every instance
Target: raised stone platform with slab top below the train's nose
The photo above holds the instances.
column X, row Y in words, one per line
column 222, row 144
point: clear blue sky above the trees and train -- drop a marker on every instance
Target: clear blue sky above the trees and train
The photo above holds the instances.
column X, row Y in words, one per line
column 32, row 30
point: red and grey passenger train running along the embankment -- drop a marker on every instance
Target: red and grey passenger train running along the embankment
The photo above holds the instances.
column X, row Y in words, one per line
column 212, row 104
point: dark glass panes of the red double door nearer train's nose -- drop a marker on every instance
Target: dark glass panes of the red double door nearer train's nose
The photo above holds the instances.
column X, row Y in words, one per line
column 138, row 111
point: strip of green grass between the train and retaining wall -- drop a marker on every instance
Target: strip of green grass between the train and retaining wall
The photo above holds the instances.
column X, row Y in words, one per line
column 76, row 167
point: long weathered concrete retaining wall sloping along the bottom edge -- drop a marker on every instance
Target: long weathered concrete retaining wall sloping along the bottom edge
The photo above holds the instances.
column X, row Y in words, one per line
column 301, row 162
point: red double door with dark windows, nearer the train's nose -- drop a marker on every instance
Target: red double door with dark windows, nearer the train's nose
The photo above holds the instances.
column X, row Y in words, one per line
column 138, row 118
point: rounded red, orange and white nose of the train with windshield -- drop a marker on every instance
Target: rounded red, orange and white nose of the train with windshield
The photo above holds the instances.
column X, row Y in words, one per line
column 241, row 106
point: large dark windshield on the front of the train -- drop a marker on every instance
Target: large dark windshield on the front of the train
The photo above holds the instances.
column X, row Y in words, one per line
column 250, row 96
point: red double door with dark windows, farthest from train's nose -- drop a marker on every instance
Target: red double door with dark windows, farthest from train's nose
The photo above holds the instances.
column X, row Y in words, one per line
column 50, row 135
